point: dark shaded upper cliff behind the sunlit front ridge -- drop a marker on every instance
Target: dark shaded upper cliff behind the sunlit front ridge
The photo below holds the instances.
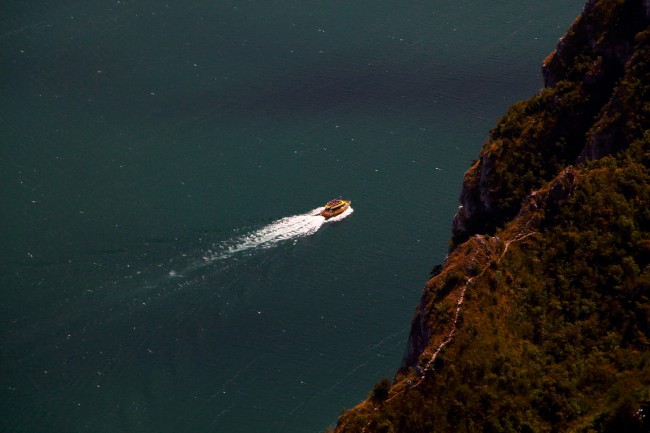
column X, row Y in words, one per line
column 576, row 117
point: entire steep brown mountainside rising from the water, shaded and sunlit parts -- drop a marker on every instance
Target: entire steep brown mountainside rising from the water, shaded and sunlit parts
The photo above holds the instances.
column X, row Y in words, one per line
column 539, row 320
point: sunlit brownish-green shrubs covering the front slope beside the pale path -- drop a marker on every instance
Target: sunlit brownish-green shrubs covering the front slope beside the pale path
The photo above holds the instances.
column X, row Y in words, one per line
column 555, row 336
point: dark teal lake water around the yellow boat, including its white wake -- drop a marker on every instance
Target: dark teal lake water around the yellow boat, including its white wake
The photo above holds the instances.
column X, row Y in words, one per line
column 150, row 155
